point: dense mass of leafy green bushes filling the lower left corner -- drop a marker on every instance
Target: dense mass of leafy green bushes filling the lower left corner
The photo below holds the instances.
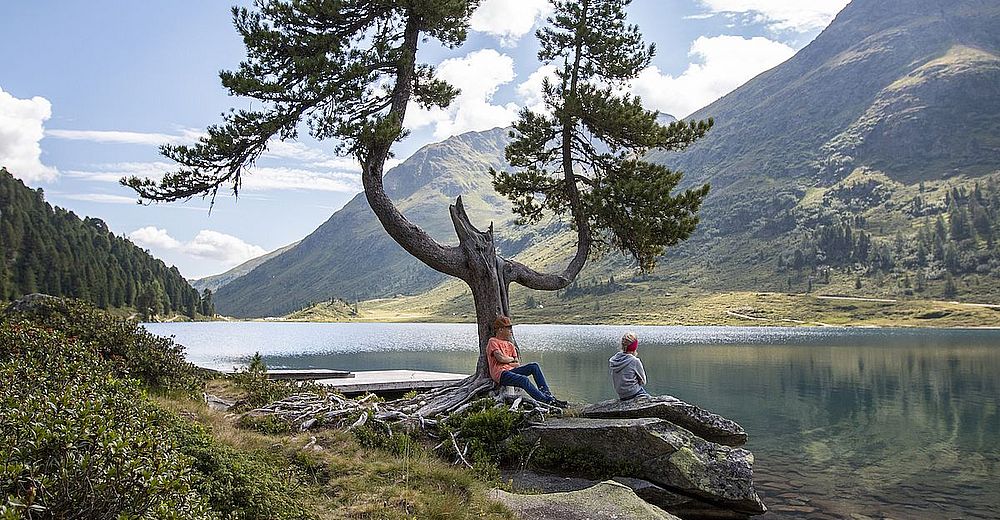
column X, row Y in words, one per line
column 81, row 439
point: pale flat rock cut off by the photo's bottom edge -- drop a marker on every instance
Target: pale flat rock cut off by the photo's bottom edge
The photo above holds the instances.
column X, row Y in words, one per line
column 607, row 500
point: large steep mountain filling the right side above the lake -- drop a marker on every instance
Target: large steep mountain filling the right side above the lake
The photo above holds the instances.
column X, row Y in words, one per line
column 889, row 119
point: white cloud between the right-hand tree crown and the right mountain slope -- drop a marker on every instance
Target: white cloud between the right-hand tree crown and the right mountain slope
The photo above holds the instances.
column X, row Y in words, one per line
column 722, row 63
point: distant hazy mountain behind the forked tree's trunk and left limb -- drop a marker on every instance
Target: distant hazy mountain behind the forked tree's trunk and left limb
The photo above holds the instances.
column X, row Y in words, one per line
column 351, row 257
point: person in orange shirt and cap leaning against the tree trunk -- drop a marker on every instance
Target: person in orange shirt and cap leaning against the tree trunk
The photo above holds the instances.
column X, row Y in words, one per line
column 505, row 367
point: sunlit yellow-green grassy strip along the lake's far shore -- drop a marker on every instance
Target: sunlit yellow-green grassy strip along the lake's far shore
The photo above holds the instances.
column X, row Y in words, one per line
column 652, row 304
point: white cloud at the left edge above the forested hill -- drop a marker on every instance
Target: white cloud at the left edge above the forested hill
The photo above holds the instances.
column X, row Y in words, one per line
column 21, row 129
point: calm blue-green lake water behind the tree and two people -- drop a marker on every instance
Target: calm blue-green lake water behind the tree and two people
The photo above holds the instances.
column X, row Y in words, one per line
column 887, row 423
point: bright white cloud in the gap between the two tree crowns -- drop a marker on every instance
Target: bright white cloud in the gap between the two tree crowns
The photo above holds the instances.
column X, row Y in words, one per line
column 479, row 74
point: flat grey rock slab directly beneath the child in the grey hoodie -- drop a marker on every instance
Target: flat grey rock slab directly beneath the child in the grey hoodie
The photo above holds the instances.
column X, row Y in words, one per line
column 705, row 424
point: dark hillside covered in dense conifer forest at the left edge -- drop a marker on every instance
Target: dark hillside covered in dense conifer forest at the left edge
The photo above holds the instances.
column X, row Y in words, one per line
column 50, row 250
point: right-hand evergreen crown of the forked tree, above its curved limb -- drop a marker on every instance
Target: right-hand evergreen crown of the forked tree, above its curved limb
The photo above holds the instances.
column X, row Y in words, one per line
column 583, row 157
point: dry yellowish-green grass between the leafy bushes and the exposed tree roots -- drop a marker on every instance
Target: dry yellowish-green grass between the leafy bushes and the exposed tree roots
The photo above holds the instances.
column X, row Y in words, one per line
column 340, row 479
